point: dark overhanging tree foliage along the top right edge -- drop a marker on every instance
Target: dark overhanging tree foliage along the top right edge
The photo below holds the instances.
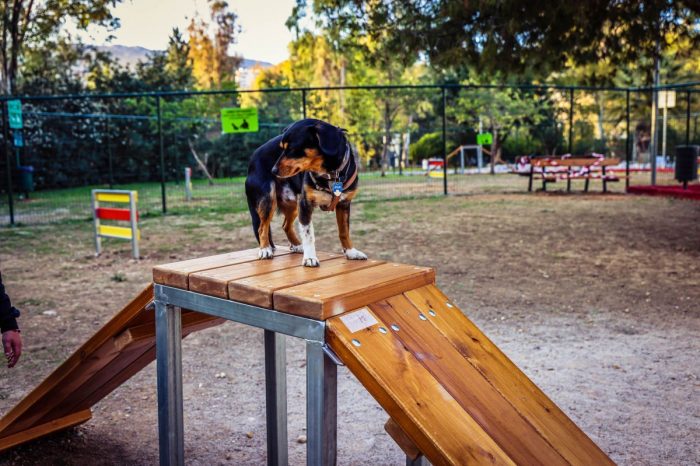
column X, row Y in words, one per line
column 518, row 35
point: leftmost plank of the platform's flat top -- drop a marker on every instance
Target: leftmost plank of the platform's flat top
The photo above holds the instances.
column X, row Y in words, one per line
column 176, row 274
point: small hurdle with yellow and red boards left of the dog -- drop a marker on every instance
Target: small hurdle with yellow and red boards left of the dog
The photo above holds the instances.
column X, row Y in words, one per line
column 130, row 214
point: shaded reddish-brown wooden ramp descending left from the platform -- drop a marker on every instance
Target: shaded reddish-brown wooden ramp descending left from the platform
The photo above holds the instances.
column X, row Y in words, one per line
column 120, row 349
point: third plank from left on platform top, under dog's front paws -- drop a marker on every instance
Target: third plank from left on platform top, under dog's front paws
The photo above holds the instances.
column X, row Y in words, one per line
column 258, row 290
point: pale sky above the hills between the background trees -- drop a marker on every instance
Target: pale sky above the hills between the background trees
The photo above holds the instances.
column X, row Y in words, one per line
column 148, row 23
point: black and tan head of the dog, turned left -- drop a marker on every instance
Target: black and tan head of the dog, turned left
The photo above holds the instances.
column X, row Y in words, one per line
column 310, row 145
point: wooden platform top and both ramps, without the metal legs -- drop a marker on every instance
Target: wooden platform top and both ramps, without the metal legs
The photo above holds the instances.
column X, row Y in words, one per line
column 450, row 393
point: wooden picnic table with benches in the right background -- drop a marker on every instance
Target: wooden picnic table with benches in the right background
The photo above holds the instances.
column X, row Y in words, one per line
column 550, row 169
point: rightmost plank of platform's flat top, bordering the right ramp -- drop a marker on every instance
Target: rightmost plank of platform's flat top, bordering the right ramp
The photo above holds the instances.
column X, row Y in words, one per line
column 332, row 296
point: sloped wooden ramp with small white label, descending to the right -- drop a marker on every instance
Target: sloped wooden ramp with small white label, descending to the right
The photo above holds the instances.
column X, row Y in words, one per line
column 450, row 390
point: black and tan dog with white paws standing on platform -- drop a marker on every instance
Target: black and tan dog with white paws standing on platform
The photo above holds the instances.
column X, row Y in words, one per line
column 310, row 164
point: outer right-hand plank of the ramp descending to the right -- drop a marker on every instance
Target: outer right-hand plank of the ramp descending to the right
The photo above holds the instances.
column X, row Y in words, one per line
column 571, row 442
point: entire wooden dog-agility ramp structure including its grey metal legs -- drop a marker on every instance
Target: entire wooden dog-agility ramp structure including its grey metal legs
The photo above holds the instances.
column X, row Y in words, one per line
column 451, row 395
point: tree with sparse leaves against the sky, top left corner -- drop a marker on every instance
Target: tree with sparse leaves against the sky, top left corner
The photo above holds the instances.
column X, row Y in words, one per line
column 35, row 23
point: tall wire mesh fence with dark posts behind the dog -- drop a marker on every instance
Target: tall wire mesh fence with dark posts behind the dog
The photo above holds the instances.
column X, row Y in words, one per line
column 67, row 145
